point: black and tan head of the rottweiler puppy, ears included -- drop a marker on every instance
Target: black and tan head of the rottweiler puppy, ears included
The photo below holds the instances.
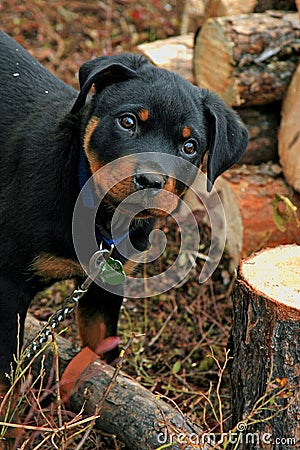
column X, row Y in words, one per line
column 137, row 108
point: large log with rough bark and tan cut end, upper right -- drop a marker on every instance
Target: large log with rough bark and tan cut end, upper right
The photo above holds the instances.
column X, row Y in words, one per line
column 248, row 59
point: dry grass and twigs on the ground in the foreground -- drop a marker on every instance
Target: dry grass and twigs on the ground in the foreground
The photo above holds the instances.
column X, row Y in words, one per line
column 180, row 354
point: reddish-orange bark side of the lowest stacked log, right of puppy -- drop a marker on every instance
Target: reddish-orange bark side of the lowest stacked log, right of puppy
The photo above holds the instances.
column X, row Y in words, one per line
column 256, row 188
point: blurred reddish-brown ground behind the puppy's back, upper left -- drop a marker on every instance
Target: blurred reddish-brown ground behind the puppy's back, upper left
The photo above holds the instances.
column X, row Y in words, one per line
column 62, row 34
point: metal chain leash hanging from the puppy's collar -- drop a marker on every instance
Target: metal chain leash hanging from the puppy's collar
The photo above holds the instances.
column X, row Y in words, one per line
column 69, row 305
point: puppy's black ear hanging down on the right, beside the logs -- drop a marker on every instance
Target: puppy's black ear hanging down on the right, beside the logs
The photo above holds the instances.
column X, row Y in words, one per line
column 228, row 137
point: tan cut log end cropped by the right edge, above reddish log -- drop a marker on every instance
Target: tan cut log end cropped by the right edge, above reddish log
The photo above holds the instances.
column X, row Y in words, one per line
column 289, row 133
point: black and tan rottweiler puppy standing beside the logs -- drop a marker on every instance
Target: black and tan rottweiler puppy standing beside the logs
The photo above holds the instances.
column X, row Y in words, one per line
column 53, row 138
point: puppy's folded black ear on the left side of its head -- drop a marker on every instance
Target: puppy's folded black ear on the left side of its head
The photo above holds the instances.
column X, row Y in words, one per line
column 101, row 72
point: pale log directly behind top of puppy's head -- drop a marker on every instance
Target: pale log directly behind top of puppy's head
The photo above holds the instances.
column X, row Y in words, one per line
column 175, row 54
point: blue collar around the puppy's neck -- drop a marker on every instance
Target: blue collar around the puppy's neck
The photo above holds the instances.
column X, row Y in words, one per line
column 89, row 202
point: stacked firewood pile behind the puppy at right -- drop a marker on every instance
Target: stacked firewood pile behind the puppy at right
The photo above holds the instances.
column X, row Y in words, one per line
column 248, row 53
